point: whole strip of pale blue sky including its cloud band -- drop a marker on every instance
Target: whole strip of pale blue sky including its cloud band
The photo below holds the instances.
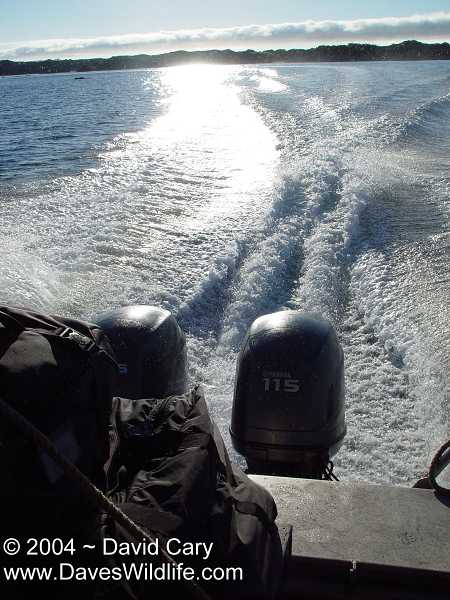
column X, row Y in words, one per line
column 39, row 29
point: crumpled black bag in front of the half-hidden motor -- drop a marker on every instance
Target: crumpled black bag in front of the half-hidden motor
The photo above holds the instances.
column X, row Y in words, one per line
column 170, row 473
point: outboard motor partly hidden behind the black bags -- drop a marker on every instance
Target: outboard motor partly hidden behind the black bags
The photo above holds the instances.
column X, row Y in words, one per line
column 150, row 349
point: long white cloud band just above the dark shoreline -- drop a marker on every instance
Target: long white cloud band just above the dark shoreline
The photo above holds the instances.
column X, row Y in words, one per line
column 426, row 27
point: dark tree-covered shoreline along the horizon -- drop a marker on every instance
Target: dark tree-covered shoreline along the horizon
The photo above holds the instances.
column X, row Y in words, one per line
column 408, row 50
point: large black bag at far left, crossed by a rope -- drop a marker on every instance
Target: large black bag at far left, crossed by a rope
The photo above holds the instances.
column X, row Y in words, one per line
column 60, row 375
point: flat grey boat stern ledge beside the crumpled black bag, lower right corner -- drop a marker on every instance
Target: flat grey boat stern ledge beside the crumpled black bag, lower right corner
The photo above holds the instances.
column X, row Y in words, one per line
column 354, row 540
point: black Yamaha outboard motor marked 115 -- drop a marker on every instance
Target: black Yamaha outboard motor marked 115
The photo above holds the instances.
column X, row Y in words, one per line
column 288, row 410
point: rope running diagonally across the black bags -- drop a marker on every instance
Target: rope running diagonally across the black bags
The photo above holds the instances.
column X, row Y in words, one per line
column 89, row 490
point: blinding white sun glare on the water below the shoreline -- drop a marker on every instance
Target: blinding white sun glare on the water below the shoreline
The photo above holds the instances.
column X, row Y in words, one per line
column 213, row 141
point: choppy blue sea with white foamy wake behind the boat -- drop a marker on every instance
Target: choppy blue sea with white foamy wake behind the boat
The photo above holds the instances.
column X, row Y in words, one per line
column 224, row 193
